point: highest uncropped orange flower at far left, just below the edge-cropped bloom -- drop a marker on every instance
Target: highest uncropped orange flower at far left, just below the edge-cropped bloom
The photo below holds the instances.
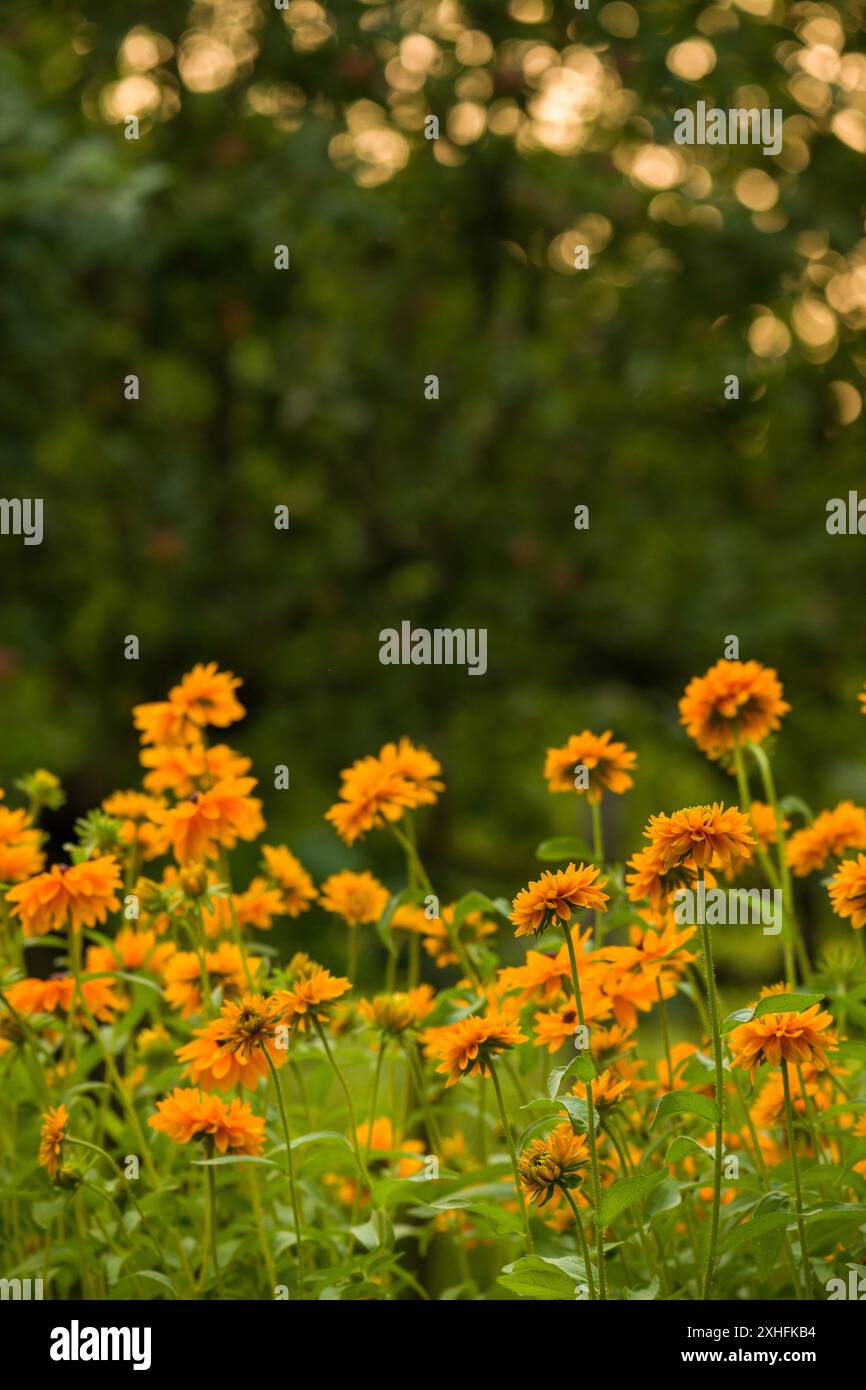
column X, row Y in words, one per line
column 79, row 896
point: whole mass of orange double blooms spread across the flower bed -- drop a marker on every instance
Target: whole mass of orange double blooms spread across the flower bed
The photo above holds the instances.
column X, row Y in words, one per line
column 187, row 929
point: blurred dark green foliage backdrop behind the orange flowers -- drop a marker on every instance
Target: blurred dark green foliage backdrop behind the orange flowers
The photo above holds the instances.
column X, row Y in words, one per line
column 307, row 389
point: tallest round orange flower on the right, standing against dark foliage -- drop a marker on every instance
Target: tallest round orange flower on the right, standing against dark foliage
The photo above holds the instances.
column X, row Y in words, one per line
column 733, row 700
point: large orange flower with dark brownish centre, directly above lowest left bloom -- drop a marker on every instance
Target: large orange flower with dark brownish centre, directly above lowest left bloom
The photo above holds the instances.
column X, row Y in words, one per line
column 229, row 1052
